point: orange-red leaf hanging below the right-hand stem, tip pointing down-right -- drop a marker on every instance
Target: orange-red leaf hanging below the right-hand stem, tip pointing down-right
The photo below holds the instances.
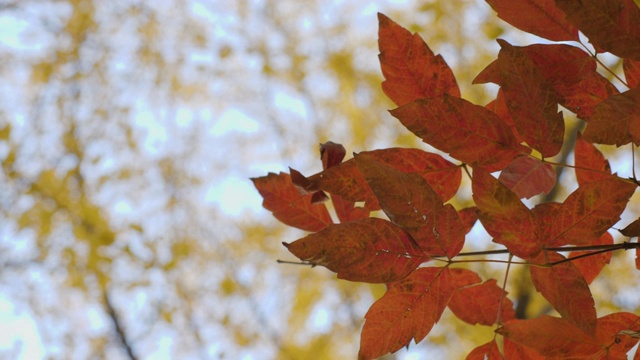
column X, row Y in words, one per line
column 566, row 290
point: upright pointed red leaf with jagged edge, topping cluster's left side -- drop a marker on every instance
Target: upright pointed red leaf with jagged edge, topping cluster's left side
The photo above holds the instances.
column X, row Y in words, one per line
column 410, row 68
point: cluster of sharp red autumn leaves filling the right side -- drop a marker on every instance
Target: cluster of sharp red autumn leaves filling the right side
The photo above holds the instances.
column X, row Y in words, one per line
column 514, row 135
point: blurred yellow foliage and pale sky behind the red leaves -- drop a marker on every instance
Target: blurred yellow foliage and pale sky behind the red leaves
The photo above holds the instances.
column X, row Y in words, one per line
column 128, row 134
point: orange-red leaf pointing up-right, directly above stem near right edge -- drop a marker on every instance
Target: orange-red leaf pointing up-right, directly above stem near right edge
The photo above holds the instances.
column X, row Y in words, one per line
column 590, row 211
